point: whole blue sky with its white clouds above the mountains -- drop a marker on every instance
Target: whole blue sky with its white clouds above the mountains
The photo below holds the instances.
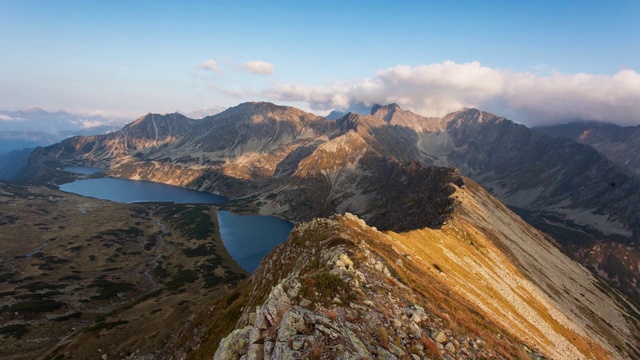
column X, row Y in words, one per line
column 133, row 57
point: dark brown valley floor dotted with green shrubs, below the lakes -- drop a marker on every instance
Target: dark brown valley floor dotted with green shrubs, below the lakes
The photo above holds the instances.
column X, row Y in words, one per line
column 116, row 277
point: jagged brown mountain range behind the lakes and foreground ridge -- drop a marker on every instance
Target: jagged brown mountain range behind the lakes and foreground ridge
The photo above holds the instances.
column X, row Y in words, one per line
column 384, row 167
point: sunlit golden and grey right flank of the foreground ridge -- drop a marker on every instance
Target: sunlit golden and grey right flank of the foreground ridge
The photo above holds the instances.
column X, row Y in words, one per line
column 521, row 279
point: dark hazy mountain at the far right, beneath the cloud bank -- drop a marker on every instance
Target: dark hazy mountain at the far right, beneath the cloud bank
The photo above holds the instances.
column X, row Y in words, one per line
column 619, row 144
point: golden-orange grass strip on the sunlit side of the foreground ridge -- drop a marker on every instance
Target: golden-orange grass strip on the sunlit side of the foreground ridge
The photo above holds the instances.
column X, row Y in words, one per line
column 457, row 249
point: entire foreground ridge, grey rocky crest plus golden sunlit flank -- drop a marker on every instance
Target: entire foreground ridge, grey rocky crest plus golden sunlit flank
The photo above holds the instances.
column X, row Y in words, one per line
column 341, row 289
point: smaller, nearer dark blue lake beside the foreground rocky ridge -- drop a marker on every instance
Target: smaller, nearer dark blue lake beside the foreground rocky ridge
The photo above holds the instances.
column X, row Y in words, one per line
column 248, row 238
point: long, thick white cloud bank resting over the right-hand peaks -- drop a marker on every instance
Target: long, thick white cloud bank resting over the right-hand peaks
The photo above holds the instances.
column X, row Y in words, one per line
column 438, row 89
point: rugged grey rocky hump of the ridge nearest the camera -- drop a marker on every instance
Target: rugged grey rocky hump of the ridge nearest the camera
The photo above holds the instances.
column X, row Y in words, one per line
column 334, row 298
